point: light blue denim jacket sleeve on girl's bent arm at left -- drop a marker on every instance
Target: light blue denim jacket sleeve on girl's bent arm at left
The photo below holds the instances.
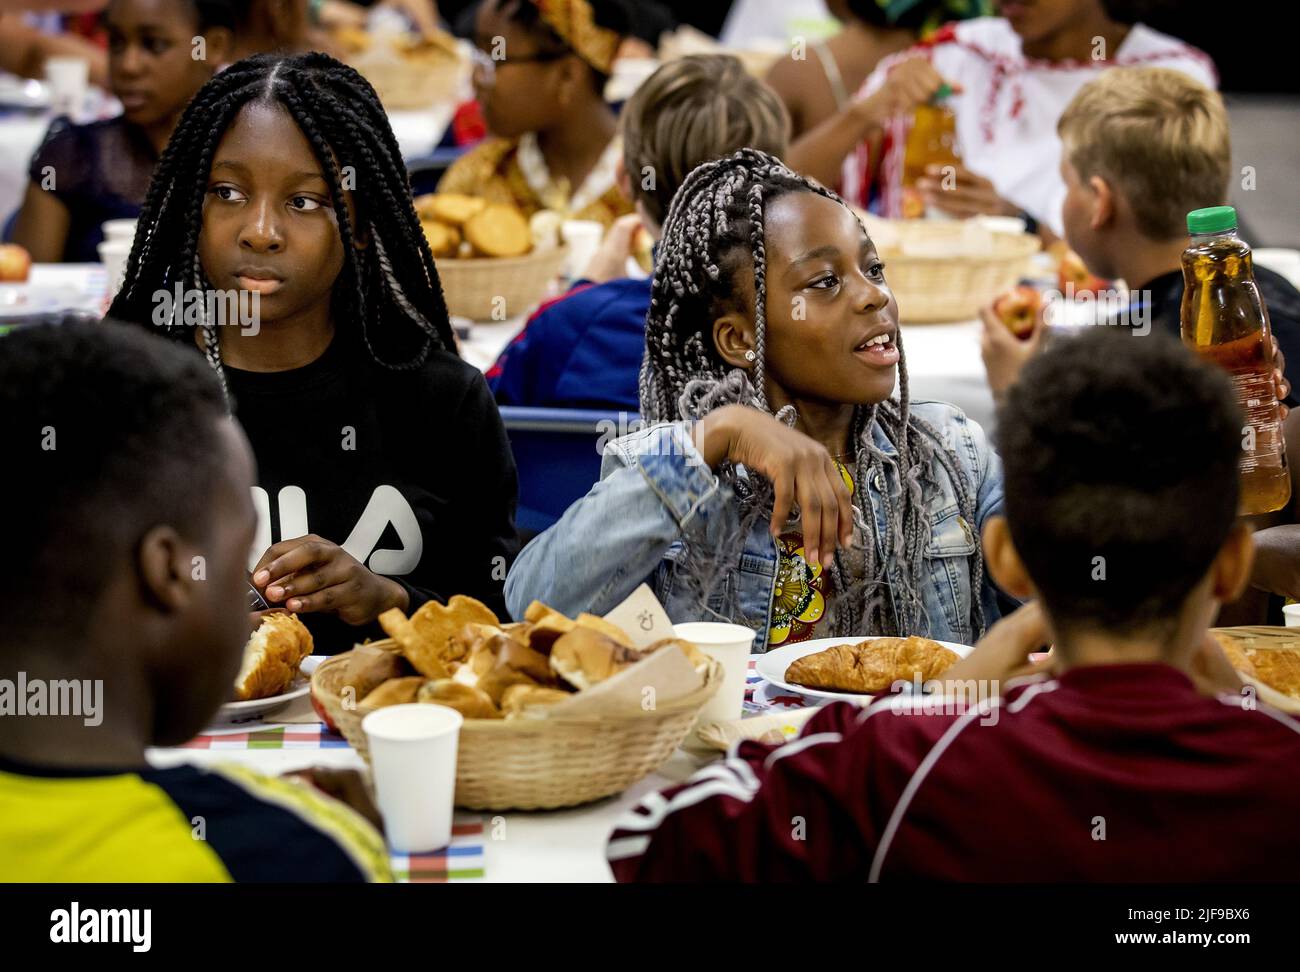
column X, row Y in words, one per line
column 655, row 487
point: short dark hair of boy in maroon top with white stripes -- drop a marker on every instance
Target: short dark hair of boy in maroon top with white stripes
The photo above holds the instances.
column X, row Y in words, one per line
column 1121, row 476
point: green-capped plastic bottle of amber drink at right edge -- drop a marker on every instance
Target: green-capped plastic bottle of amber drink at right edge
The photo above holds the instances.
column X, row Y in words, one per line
column 1225, row 320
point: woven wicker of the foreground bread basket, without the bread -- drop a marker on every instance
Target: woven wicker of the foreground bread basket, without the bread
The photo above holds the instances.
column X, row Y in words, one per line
column 543, row 763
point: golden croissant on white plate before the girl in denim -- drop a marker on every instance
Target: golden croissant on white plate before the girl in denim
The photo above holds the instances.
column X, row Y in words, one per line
column 872, row 666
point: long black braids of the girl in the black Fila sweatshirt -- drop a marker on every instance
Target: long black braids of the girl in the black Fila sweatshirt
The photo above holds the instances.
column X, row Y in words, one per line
column 389, row 289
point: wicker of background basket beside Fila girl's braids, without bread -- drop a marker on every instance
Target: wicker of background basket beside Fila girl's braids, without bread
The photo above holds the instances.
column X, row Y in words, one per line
column 495, row 289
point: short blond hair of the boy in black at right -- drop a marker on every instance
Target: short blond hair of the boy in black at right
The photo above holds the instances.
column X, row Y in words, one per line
column 1160, row 138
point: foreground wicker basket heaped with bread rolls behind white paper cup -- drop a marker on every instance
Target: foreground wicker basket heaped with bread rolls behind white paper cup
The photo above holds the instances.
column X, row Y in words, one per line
column 558, row 711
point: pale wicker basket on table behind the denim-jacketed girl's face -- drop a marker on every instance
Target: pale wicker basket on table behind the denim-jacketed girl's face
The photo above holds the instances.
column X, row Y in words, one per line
column 948, row 270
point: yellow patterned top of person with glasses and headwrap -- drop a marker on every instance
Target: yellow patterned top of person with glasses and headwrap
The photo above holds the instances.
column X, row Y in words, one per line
column 514, row 171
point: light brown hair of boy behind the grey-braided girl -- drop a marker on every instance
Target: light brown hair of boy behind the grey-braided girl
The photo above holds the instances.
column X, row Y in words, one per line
column 690, row 112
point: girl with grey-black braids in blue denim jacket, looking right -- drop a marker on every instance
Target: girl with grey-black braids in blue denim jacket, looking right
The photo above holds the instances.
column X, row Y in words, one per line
column 779, row 484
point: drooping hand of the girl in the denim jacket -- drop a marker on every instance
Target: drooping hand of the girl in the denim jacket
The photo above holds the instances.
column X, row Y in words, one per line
column 800, row 468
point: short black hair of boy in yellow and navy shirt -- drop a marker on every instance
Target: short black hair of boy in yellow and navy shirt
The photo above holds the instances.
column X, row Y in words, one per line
column 109, row 432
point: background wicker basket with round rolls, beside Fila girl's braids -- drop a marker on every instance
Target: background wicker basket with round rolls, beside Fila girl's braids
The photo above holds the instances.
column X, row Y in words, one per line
column 493, row 262
